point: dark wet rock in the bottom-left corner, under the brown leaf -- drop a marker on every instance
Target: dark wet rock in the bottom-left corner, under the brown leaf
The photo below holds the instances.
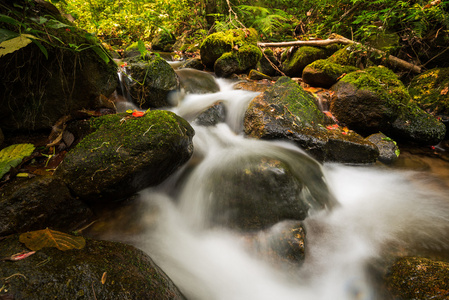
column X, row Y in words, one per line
column 101, row 270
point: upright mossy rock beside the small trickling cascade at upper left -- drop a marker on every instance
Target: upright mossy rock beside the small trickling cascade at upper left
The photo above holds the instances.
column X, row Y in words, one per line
column 150, row 81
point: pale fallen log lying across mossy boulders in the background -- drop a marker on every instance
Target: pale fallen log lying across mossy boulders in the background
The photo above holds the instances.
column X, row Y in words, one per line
column 342, row 40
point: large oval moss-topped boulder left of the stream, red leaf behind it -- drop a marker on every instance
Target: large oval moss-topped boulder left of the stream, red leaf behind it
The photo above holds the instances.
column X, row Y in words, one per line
column 125, row 154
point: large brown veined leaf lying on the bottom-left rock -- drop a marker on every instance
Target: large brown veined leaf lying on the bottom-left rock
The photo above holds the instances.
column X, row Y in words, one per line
column 36, row 240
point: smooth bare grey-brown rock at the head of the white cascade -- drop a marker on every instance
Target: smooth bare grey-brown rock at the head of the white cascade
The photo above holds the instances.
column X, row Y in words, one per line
column 197, row 82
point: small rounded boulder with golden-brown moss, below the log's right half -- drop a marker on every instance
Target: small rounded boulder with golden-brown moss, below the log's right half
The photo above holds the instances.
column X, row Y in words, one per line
column 323, row 73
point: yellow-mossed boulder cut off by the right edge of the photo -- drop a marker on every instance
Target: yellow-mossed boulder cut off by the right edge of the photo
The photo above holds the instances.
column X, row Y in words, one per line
column 431, row 91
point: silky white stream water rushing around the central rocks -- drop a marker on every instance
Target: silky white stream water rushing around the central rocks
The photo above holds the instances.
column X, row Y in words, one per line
column 373, row 213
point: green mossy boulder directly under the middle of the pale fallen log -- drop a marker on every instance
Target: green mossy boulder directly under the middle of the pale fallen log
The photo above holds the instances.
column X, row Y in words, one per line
column 298, row 58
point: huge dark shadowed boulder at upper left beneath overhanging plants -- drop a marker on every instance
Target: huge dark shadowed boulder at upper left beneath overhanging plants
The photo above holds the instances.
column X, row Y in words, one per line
column 55, row 87
